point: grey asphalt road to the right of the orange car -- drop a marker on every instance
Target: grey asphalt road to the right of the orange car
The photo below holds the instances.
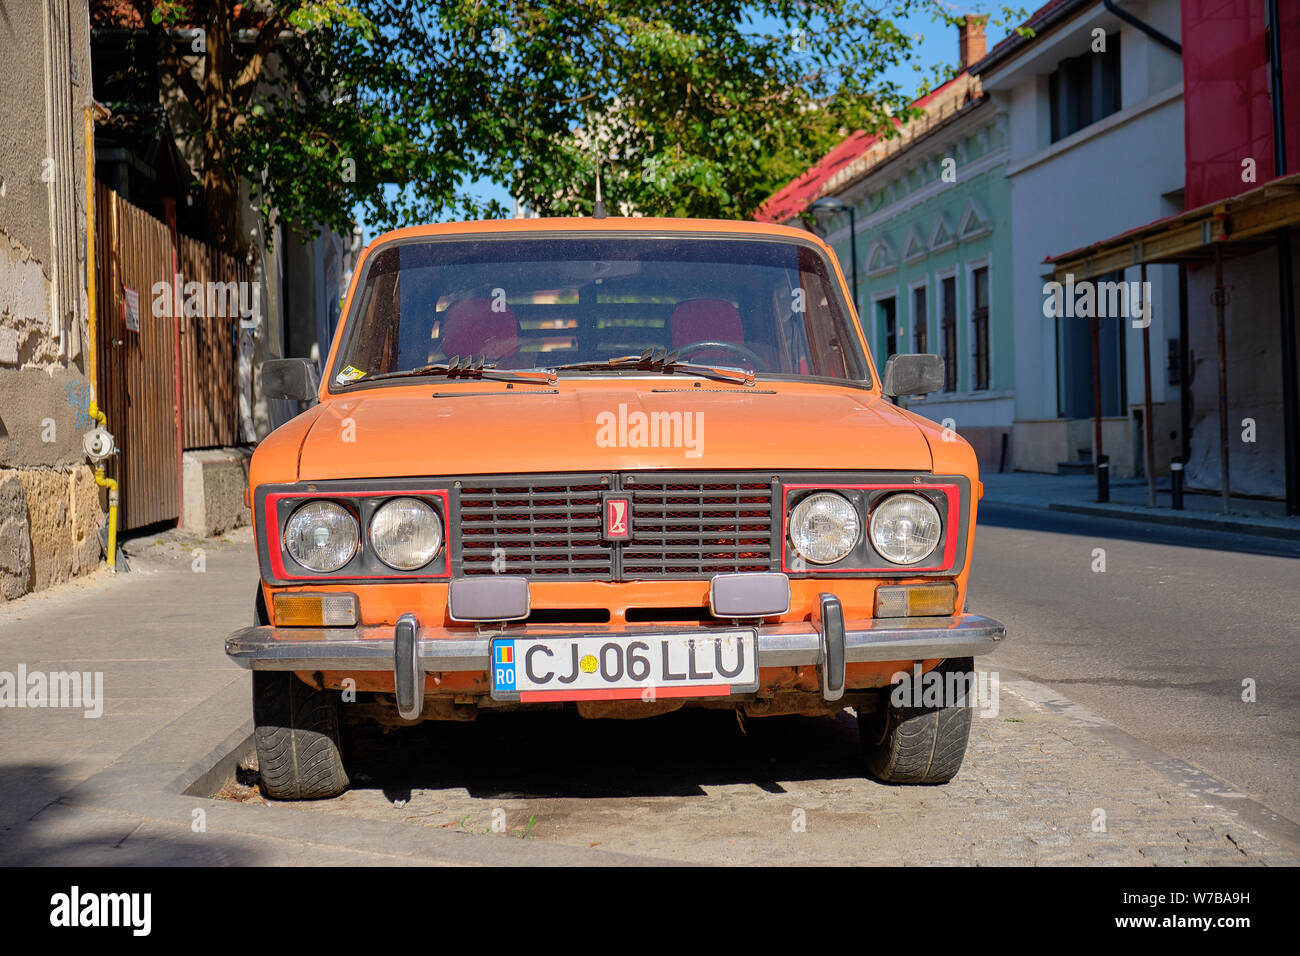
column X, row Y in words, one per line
column 1162, row 641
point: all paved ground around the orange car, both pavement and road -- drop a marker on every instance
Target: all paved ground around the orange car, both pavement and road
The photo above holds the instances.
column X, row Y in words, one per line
column 1115, row 741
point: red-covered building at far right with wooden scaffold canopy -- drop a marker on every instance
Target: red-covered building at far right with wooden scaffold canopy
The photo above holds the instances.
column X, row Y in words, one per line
column 1234, row 245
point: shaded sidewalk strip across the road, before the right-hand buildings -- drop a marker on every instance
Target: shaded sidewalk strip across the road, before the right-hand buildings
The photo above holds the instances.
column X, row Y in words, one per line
column 1078, row 494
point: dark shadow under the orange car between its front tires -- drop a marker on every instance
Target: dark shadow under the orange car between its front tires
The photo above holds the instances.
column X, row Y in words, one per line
column 561, row 755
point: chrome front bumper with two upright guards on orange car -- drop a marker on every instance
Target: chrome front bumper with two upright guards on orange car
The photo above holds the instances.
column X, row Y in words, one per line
column 410, row 651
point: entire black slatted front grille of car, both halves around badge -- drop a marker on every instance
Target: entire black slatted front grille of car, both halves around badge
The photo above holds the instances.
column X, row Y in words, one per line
column 682, row 527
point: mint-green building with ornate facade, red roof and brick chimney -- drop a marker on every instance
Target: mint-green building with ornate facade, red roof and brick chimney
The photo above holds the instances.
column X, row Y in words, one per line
column 931, row 252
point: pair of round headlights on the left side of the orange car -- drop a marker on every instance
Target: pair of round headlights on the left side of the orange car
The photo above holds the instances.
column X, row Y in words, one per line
column 405, row 534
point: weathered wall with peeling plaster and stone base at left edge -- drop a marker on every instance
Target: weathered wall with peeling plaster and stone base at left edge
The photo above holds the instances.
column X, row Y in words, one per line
column 50, row 509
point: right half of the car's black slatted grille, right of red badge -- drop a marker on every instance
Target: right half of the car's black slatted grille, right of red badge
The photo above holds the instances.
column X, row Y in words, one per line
column 686, row 529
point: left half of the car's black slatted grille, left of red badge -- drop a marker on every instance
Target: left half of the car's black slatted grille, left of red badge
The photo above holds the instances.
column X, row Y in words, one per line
column 547, row 529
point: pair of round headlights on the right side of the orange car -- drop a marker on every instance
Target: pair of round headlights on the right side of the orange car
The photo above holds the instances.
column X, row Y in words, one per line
column 904, row 529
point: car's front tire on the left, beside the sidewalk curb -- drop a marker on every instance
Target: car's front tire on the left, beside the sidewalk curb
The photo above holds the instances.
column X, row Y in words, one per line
column 296, row 729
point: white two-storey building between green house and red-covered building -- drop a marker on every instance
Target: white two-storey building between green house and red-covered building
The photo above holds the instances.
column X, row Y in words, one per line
column 1095, row 148
